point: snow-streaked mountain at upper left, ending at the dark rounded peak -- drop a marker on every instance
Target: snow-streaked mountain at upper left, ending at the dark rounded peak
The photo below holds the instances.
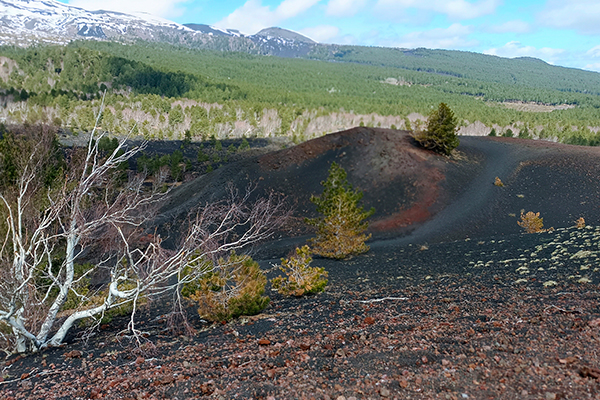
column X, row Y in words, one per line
column 27, row 22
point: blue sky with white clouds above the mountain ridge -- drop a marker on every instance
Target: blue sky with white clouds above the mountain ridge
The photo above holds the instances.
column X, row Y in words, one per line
column 560, row 32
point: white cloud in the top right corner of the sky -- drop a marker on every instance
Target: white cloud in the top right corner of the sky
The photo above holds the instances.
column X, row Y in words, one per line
column 579, row 15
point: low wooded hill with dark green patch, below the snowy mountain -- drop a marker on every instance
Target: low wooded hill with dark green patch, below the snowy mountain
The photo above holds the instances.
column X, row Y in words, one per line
column 48, row 72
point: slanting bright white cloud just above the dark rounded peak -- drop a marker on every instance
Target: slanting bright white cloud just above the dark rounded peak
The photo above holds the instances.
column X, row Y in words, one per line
column 253, row 16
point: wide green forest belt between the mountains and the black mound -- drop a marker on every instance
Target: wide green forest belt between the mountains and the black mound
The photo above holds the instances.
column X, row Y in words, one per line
column 162, row 91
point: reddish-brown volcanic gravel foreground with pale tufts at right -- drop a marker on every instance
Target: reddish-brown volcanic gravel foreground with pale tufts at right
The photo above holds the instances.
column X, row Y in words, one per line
column 515, row 318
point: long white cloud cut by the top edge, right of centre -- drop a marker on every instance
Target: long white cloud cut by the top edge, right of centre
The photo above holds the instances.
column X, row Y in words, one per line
column 454, row 9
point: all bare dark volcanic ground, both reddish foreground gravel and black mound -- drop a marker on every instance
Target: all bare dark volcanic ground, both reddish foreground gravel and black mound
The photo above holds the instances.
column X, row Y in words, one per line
column 454, row 305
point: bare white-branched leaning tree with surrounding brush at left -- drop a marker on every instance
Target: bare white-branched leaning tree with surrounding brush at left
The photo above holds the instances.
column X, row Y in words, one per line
column 48, row 236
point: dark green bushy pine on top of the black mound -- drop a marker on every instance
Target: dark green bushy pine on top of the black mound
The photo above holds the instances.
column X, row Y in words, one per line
column 440, row 134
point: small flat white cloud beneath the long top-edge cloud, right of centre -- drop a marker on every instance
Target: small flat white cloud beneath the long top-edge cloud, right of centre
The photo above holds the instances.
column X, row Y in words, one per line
column 453, row 37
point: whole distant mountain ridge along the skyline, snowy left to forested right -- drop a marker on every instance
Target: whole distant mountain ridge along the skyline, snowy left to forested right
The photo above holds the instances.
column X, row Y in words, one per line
column 27, row 22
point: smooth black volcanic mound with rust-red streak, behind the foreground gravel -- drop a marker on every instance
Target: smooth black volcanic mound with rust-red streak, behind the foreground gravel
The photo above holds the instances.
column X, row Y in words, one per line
column 419, row 196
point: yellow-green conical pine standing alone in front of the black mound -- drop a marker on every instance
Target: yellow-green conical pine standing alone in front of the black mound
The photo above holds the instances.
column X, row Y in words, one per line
column 340, row 231
